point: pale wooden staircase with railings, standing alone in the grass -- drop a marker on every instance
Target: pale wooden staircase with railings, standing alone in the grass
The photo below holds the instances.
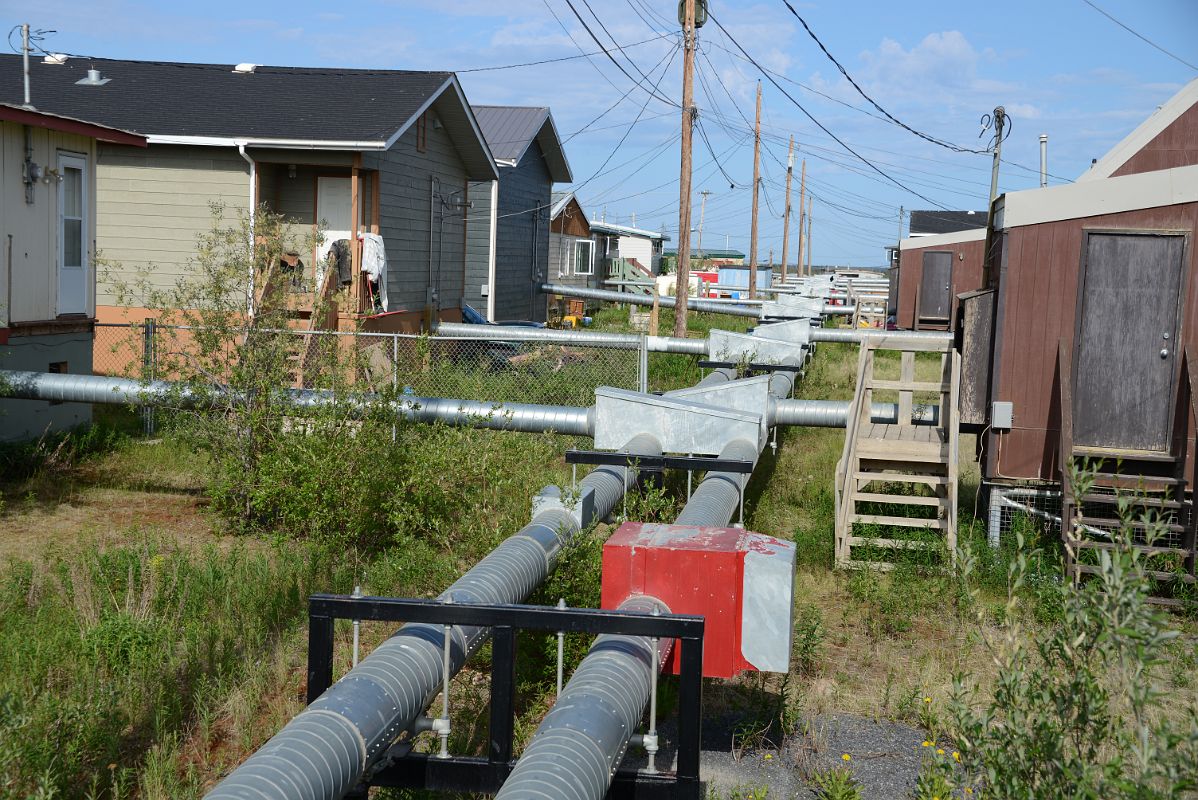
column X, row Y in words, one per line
column 885, row 465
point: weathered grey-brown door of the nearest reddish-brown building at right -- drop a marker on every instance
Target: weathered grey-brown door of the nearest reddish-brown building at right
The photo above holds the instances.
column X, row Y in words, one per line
column 1127, row 351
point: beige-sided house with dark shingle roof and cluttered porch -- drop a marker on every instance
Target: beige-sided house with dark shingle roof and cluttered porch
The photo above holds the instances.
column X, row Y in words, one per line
column 361, row 151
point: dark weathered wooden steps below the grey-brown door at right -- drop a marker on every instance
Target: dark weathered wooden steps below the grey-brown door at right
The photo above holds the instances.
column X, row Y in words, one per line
column 1142, row 494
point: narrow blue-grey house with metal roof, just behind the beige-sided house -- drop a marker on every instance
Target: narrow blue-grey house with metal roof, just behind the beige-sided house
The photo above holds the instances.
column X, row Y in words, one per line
column 509, row 250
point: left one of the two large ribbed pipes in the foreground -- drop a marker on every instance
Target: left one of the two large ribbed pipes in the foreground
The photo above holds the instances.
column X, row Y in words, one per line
column 331, row 746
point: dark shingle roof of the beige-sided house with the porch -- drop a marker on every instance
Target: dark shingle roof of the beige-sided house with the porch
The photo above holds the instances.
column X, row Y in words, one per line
column 277, row 107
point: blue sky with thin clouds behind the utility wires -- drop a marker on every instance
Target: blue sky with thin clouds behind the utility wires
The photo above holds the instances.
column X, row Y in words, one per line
column 1060, row 68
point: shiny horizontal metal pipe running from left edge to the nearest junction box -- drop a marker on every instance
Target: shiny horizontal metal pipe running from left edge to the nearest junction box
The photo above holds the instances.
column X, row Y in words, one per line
column 525, row 417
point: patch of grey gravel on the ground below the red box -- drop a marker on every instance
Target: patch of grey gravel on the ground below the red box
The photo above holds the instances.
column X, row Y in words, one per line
column 885, row 759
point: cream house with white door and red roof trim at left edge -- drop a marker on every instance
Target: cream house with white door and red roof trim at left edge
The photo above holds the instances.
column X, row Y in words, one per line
column 47, row 235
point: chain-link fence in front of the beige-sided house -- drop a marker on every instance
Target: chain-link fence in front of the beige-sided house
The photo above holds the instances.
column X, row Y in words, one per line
column 462, row 368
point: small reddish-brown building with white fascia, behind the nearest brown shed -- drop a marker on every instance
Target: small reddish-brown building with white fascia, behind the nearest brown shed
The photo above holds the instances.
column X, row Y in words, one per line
column 941, row 259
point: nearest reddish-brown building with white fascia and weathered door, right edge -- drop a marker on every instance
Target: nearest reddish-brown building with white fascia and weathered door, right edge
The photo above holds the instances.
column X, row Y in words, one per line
column 1105, row 271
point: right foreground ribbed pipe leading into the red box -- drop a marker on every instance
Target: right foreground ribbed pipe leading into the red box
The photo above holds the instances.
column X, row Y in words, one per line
column 583, row 740
